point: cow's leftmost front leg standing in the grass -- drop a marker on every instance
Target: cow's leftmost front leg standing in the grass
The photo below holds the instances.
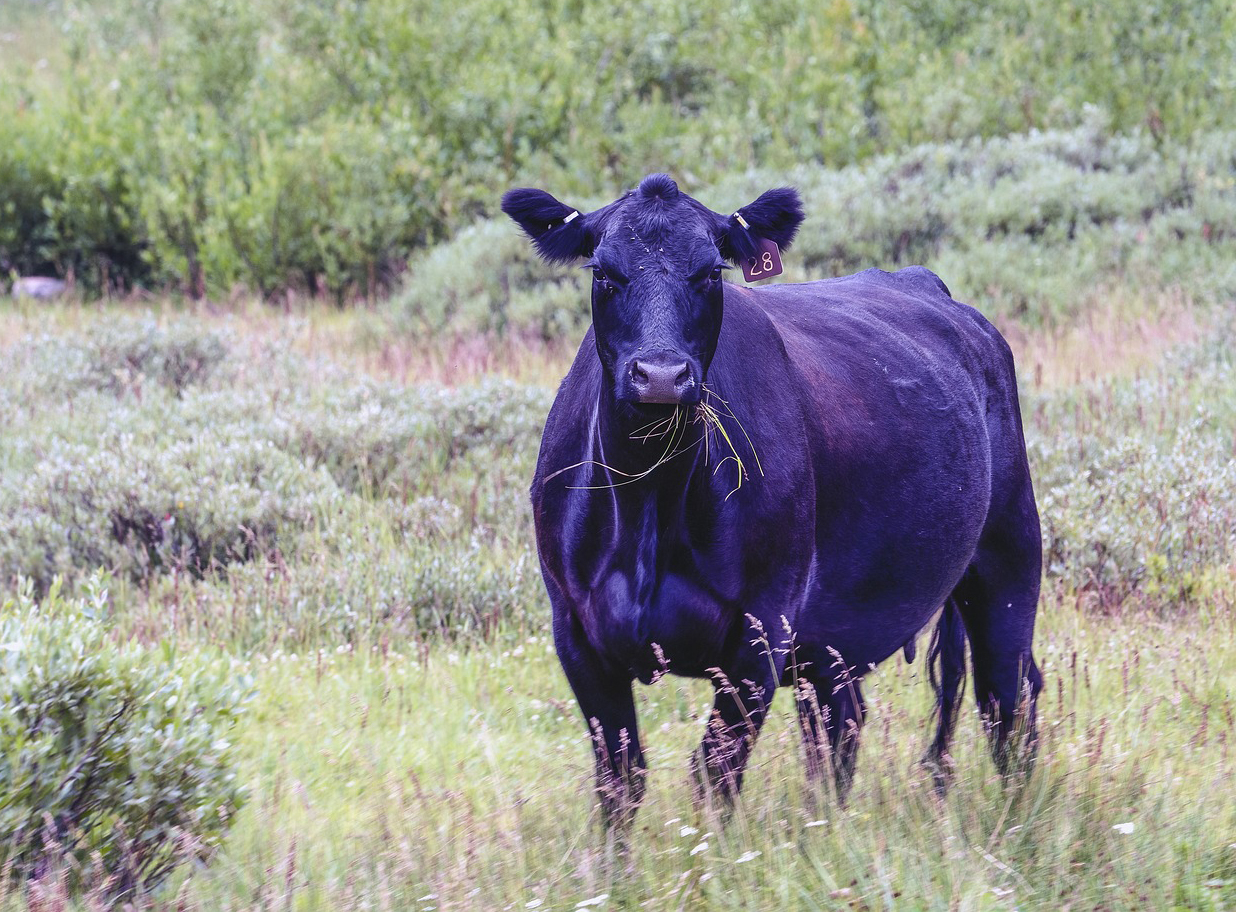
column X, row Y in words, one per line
column 609, row 710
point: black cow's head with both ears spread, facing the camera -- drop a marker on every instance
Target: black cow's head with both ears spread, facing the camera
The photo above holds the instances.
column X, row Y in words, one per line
column 657, row 259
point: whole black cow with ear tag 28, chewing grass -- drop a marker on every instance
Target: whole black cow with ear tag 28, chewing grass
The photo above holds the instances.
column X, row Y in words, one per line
column 776, row 486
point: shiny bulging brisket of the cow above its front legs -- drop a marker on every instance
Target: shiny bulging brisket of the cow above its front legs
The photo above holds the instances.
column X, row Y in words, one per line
column 679, row 626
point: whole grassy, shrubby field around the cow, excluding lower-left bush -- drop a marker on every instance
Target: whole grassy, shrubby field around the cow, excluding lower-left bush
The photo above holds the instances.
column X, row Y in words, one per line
column 339, row 511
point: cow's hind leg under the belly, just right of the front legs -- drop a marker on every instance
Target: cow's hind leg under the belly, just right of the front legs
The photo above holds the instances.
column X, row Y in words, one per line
column 831, row 716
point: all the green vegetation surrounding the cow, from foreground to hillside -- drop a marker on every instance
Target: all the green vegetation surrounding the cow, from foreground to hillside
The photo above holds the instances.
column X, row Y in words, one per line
column 273, row 632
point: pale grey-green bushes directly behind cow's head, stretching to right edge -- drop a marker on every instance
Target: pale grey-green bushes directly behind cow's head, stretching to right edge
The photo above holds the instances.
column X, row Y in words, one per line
column 1022, row 227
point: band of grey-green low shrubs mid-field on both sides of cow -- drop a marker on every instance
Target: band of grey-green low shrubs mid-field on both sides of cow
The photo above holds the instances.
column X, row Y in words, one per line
column 310, row 506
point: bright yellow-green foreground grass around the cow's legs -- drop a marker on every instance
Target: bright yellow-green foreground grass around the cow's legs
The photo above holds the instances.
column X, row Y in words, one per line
column 465, row 778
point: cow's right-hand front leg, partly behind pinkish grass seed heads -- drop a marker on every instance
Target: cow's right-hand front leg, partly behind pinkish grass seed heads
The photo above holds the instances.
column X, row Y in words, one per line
column 745, row 690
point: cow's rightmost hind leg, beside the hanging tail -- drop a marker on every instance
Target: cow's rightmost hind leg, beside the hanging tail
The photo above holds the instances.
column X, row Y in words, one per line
column 998, row 599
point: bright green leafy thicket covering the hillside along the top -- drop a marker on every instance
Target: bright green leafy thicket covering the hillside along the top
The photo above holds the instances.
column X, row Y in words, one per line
column 290, row 144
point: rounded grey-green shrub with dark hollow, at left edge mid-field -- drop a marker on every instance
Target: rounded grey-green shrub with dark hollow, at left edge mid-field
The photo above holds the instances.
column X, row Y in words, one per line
column 139, row 505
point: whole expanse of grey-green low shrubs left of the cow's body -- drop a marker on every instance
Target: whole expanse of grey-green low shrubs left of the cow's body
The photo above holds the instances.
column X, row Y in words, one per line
column 399, row 510
